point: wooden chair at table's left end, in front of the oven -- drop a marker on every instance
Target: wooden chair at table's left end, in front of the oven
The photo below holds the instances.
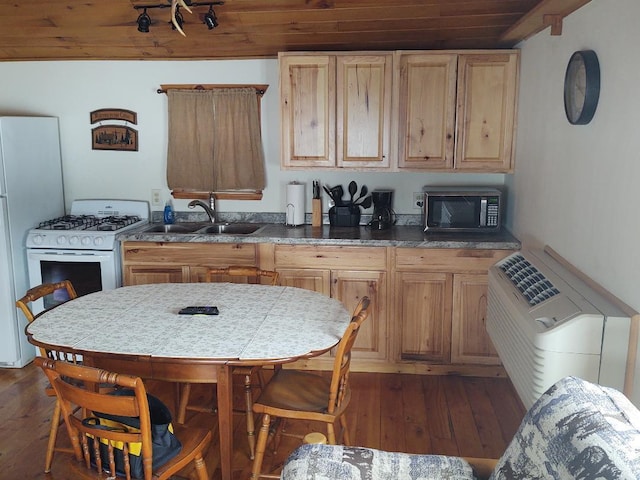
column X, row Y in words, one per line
column 32, row 295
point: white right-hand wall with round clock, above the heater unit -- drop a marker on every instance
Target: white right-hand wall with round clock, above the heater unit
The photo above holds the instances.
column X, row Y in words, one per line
column 576, row 188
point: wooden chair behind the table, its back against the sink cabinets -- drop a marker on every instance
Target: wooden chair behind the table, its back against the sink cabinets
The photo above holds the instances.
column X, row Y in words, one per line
column 249, row 275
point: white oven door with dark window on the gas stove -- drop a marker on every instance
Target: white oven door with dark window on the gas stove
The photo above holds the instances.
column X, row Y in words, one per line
column 89, row 271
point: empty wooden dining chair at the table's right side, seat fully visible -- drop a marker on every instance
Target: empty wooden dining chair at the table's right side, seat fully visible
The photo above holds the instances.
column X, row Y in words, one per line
column 301, row 395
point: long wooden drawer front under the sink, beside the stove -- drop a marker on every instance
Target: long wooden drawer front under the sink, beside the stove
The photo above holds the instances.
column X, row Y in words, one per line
column 187, row 254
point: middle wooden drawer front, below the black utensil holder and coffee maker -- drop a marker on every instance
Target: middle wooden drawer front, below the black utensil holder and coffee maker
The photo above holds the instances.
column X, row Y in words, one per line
column 309, row 256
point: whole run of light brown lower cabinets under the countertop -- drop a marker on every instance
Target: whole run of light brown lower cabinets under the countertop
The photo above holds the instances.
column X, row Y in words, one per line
column 428, row 305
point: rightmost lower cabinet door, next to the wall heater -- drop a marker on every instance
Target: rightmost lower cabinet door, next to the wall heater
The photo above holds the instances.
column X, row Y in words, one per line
column 470, row 342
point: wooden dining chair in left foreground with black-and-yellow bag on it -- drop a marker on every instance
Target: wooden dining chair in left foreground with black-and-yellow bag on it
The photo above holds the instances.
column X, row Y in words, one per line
column 80, row 402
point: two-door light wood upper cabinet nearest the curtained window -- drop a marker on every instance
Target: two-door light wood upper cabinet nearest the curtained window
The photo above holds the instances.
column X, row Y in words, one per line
column 336, row 110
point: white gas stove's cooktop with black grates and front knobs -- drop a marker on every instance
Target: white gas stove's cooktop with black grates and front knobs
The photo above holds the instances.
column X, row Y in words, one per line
column 91, row 225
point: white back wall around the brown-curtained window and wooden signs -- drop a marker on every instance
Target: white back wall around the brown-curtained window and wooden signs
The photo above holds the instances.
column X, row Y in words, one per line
column 70, row 90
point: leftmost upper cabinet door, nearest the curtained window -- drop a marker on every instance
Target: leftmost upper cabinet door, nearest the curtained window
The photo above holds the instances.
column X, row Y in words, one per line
column 307, row 96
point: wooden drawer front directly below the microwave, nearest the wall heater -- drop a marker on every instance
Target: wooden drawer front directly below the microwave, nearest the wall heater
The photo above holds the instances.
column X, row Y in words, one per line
column 447, row 260
